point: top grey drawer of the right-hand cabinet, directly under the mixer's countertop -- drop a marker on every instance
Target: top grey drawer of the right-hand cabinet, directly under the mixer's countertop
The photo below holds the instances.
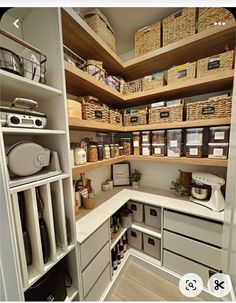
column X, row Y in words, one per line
column 207, row 231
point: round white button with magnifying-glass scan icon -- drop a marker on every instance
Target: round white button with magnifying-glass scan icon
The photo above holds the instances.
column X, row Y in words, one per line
column 190, row 285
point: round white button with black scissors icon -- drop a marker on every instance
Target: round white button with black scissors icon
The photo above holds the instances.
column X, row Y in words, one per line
column 219, row 285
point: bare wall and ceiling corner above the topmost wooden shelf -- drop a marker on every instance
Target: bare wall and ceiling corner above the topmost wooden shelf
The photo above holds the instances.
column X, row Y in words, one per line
column 126, row 21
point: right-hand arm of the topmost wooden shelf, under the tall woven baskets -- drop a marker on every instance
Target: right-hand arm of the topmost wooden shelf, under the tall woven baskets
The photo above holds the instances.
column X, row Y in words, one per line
column 207, row 43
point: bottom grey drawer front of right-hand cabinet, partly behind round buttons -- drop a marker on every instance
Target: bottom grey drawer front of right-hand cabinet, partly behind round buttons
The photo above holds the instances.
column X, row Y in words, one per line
column 182, row 266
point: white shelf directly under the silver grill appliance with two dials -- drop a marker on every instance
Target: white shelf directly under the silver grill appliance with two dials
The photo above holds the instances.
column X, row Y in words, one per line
column 26, row 131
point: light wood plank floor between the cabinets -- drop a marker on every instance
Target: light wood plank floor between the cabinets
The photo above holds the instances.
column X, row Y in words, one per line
column 138, row 284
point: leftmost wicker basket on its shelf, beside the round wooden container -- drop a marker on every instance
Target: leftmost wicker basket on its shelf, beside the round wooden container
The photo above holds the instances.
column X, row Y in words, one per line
column 92, row 109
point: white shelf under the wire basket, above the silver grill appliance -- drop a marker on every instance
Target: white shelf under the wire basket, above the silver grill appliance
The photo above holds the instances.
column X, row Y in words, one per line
column 13, row 86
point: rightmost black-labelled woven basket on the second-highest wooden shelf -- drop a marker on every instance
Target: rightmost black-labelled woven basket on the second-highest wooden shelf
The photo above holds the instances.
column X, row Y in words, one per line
column 214, row 64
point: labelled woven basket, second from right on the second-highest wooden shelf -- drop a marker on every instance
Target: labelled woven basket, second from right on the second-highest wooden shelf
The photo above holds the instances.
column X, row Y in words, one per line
column 182, row 72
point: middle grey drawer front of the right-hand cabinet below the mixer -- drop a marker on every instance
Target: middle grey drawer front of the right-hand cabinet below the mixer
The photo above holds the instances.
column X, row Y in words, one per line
column 197, row 251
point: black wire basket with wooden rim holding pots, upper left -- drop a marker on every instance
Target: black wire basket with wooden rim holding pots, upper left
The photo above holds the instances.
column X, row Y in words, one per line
column 29, row 63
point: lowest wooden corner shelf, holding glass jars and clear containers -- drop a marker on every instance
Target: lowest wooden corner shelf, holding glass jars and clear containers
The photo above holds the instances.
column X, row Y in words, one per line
column 182, row 160
